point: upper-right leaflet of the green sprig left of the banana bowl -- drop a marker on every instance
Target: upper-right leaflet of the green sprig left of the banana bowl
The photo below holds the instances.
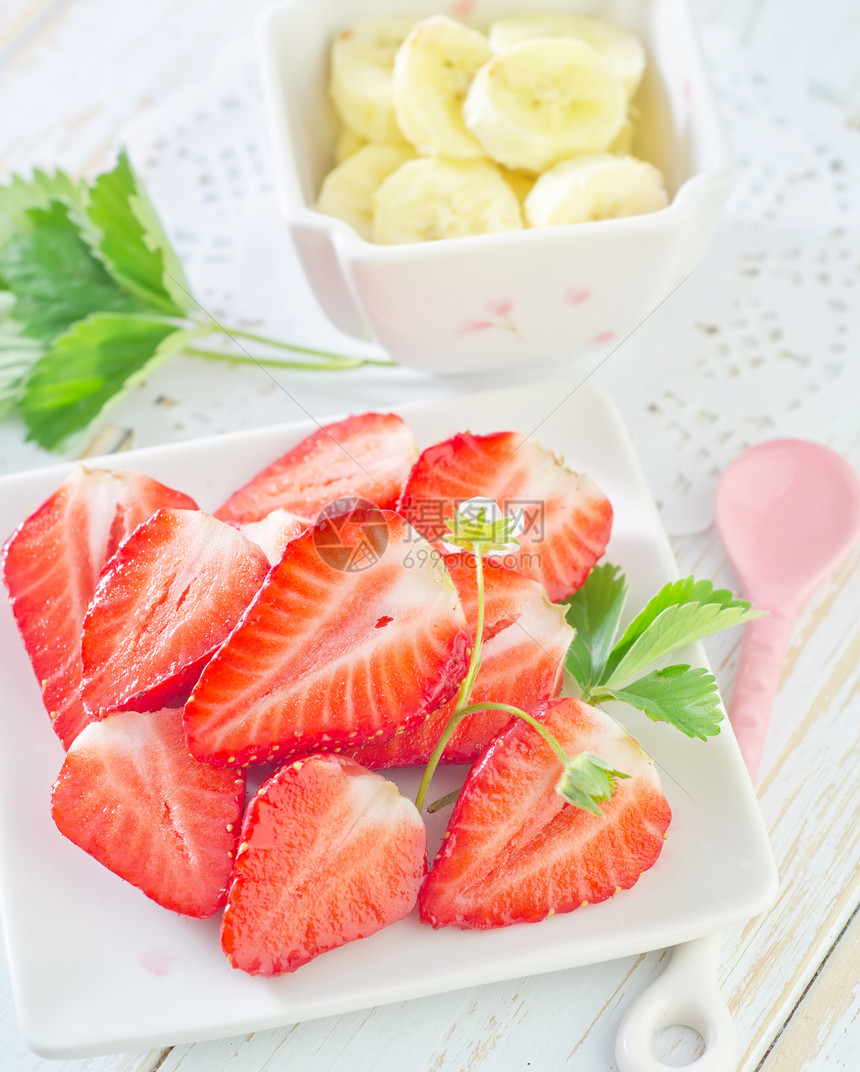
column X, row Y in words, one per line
column 128, row 237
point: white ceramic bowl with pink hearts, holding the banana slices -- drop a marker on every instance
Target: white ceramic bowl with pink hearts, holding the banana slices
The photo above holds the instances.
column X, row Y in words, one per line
column 523, row 299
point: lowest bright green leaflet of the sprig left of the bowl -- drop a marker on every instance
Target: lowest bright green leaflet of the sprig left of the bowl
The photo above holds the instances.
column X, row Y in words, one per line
column 90, row 367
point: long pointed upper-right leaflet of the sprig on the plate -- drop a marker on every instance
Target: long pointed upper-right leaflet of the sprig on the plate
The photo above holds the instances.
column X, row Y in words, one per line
column 680, row 614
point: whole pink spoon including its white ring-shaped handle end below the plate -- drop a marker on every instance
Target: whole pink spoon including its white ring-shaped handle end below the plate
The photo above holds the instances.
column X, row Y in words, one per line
column 789, row 513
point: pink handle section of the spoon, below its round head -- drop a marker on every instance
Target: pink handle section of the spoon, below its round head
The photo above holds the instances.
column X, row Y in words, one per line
column 757, row 683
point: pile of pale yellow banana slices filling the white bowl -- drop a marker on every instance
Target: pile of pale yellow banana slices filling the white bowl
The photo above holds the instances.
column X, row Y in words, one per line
column 523, row 101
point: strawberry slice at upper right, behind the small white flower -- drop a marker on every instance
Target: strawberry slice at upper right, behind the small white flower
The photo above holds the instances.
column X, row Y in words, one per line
column 568, row 518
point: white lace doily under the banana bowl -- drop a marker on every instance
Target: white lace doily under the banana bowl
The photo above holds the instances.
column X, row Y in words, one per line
column 763, row 341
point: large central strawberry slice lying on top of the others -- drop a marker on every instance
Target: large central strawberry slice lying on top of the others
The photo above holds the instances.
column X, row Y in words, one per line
column 358, row 630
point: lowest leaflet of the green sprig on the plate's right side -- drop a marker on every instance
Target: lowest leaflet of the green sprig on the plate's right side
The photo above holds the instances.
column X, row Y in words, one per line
column 687, row 697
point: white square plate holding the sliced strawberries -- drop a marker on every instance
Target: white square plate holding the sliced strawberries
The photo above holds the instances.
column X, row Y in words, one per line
column 98, row 969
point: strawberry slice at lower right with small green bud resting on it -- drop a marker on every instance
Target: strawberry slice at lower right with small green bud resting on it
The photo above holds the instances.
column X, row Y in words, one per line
column 516, row 852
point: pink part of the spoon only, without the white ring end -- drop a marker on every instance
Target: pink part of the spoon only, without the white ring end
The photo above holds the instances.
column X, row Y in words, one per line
column 789, row 513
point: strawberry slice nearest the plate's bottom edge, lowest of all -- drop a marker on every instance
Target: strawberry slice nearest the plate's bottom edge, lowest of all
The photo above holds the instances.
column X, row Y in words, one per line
column 331, row 854
